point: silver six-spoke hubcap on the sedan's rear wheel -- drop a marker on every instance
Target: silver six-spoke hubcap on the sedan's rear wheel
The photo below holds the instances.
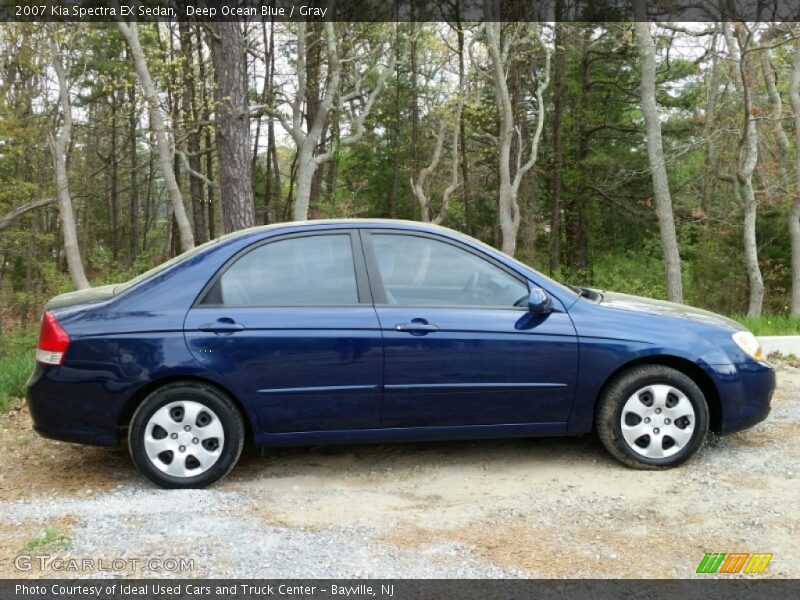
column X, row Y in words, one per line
column 184, row 438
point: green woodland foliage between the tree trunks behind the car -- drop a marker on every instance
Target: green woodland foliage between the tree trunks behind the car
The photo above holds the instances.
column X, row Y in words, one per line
column 609, row 235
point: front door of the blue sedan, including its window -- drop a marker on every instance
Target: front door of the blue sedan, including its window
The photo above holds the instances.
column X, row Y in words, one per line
column 460, row 346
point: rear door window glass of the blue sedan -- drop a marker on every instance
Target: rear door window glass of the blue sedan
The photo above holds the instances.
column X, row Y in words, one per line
column 314, row 270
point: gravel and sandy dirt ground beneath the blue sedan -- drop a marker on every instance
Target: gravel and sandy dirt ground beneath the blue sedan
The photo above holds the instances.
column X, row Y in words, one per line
column 510, row 508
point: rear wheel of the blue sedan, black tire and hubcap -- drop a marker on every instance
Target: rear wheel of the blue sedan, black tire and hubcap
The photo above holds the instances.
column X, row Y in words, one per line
column 186, row 435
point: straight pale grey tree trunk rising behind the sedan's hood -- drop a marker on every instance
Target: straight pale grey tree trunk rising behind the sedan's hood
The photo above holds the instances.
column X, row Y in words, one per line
column 655, row 153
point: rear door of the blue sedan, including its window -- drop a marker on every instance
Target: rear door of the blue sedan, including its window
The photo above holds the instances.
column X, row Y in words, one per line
column 290, row 324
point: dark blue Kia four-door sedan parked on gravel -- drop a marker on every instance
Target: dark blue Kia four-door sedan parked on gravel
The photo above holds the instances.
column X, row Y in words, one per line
column 377, row 331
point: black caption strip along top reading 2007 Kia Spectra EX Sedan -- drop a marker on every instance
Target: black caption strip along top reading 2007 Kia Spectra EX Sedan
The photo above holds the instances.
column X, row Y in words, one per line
column 395, row 10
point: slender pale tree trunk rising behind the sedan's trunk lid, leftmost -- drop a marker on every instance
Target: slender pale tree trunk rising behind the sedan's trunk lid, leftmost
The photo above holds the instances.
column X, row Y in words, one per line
column 58, row 147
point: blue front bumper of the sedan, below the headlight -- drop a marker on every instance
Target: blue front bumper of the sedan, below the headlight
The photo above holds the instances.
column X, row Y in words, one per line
column 745, row 392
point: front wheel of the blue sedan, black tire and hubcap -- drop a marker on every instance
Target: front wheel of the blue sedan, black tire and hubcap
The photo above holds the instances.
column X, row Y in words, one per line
column 652, row 417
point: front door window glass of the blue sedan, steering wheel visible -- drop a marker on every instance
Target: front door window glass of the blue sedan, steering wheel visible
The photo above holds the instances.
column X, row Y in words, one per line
column 419, row 271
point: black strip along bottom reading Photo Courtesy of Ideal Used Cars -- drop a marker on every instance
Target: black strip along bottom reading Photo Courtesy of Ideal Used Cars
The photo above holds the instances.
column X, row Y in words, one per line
column 403, row 589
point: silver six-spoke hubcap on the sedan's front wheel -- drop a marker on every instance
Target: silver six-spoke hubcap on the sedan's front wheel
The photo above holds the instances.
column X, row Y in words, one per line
column 657, row 421
